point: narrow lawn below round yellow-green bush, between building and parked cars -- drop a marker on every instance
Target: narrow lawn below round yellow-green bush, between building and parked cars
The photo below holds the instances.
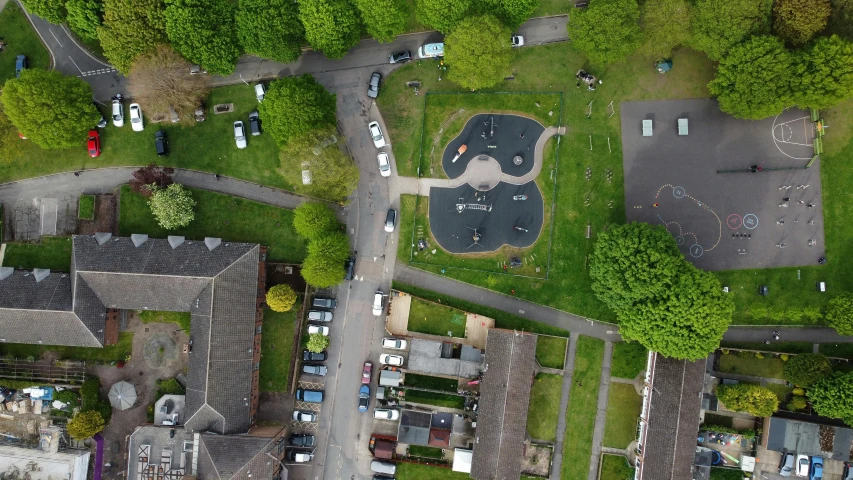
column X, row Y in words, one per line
column 277, row 340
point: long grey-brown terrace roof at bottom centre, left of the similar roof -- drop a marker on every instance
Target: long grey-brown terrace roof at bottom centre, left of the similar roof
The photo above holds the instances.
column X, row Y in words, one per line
column 504, row 400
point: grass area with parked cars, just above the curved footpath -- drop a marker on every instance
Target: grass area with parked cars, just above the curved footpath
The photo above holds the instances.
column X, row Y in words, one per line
column 207, row 146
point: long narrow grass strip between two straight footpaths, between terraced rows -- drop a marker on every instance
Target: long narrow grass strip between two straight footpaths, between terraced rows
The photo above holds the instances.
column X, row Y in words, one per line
column 583, row 403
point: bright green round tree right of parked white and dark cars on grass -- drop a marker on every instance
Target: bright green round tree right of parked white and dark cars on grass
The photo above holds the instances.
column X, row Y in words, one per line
column 294, row 106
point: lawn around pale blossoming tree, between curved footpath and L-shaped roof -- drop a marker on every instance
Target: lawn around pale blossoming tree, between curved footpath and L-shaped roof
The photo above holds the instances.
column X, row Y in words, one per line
column 218, row 215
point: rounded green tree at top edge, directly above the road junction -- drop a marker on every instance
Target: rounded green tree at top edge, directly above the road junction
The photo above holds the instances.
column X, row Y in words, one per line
column 331, row 26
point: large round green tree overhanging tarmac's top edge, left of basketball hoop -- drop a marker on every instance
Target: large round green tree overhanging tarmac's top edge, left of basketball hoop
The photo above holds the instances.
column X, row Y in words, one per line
column 753, row 80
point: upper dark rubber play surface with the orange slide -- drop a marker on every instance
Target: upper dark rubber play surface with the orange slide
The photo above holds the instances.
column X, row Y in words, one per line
column 512, row 136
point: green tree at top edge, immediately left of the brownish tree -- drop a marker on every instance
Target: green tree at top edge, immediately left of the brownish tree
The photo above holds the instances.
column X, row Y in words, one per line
column 719, row 25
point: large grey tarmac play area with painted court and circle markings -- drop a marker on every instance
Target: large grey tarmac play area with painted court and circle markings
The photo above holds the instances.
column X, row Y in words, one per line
column 734, row 193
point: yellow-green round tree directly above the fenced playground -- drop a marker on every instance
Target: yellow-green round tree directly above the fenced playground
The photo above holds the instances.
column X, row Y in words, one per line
column 478, row 52
